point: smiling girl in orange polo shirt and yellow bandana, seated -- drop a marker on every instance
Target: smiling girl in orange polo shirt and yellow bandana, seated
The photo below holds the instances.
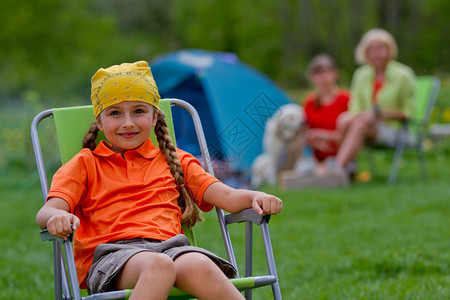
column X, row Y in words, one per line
column 127, row 199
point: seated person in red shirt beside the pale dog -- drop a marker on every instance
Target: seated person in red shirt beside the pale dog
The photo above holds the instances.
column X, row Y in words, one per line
column 323, row 106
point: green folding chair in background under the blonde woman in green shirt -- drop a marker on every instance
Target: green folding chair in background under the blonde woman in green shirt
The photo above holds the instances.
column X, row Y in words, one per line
column 426, row 91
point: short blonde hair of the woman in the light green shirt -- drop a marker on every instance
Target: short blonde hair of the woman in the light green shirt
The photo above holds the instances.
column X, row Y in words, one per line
column 376, row 34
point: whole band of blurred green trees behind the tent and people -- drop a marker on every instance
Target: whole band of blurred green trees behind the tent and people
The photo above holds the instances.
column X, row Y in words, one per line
column 54, row 46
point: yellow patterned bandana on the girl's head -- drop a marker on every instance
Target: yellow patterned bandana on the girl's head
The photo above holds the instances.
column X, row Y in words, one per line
column 125, row 82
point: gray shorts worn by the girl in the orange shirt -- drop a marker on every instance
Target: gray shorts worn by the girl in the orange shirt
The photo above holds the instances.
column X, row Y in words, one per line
column 110, row 258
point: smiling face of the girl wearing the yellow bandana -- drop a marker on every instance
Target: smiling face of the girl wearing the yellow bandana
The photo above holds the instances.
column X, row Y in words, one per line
column 127, row 125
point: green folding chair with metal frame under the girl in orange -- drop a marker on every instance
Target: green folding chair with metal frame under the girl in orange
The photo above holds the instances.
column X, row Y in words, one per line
column 71, row 124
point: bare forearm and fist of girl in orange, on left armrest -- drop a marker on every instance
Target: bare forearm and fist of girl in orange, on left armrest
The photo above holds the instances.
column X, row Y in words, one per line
column 55, row 216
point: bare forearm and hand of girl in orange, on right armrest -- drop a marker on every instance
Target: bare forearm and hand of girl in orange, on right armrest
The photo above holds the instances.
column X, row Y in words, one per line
column 233, row 200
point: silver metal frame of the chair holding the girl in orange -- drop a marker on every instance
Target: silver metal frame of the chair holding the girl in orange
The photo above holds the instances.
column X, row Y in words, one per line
column 65, row 278
